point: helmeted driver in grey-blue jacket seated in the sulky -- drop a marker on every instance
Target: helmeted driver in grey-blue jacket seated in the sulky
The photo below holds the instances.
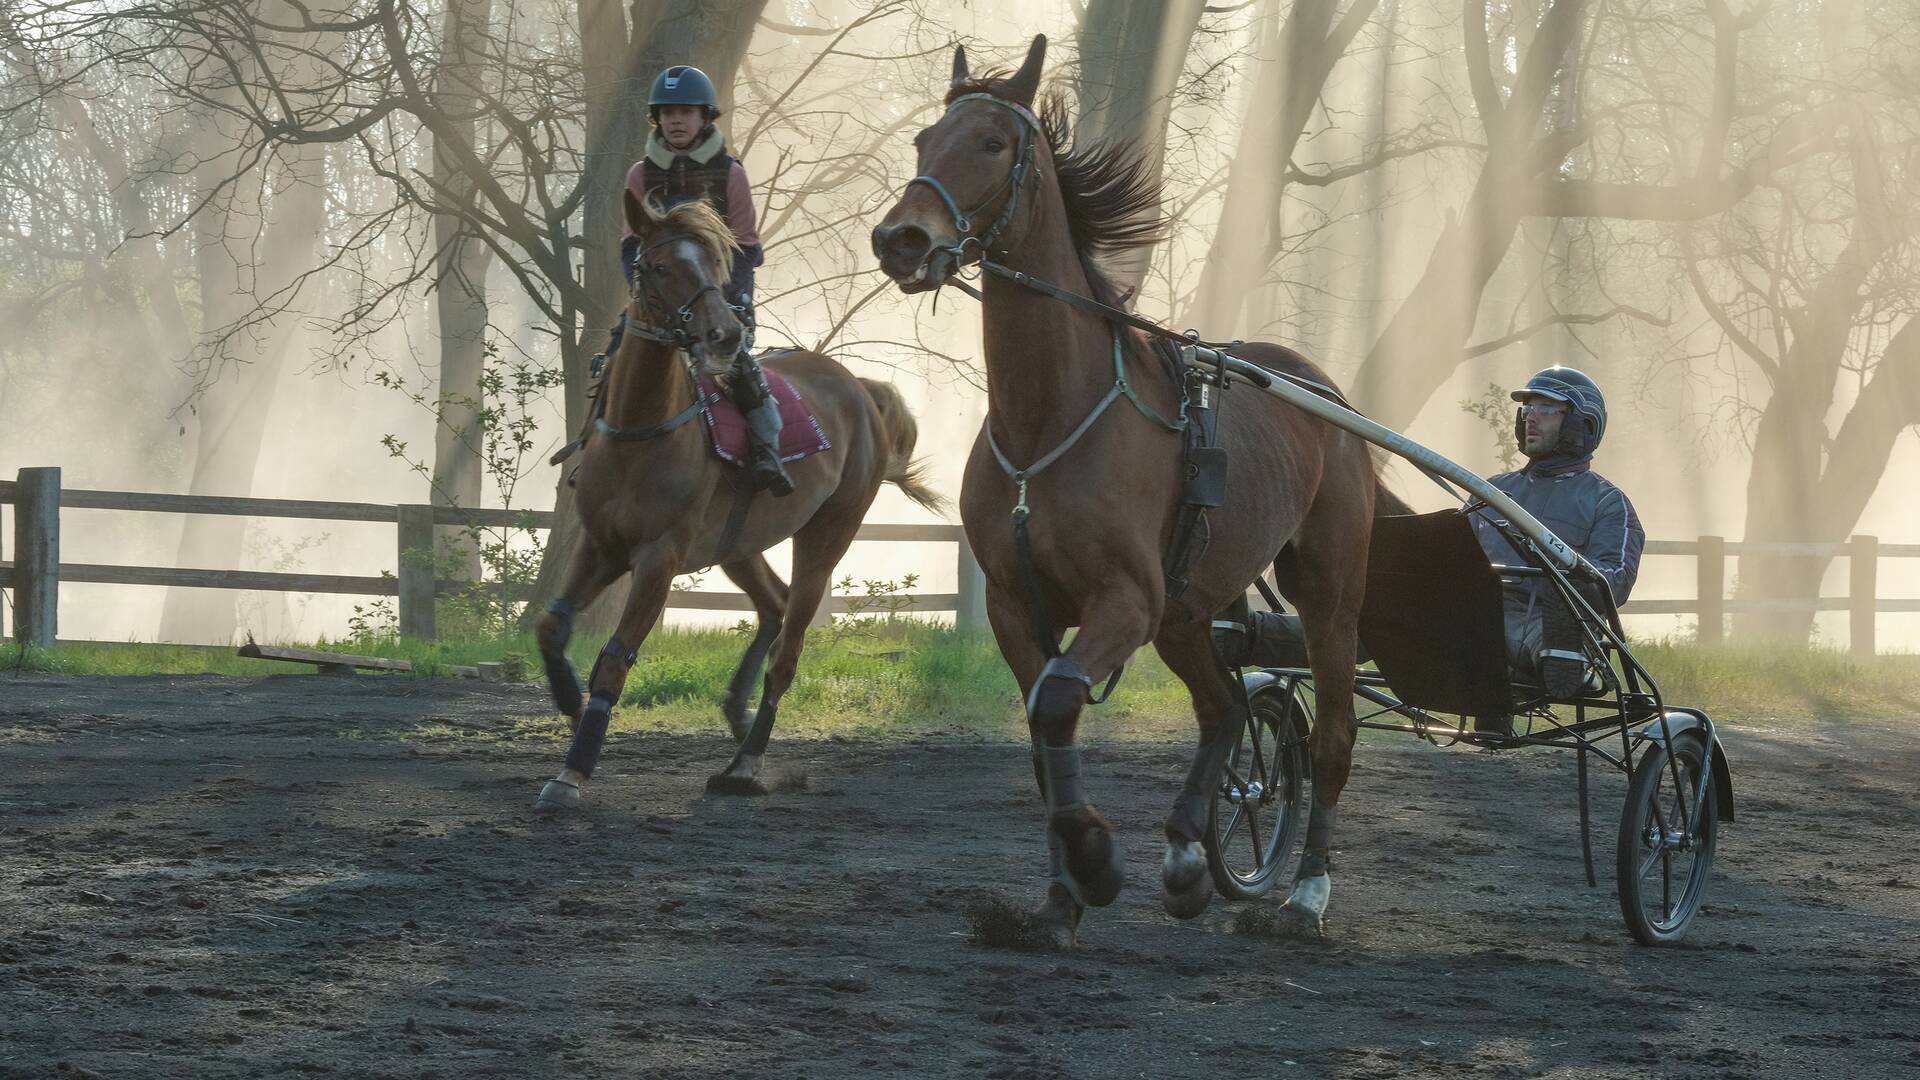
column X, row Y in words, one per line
column 1558, row 426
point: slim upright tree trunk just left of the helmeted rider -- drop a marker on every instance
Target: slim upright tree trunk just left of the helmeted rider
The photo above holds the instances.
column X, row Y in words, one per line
column 462, row 264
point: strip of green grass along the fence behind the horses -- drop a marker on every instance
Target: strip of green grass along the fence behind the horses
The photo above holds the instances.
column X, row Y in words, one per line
column 913, row 677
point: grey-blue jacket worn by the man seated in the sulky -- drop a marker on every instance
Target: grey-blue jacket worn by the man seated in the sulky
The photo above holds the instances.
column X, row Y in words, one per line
column 1581, row 508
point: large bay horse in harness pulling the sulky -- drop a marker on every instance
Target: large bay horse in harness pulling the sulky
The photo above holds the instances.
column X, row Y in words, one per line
column 1072, row 504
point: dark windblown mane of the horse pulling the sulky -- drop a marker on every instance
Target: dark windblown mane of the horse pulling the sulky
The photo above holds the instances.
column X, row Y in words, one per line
column 1109, row 189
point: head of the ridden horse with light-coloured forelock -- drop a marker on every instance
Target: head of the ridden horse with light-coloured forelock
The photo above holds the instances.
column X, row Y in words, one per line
column 681, row 276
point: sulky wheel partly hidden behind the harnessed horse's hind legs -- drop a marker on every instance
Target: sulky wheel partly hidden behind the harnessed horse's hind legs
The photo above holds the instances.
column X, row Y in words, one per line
column 1264, row 795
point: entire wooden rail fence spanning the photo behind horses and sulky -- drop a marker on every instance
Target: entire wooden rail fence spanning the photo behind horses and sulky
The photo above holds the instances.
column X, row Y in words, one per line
column 37, row 572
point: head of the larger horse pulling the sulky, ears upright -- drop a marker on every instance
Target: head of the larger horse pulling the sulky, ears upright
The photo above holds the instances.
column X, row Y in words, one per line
column 974, row 168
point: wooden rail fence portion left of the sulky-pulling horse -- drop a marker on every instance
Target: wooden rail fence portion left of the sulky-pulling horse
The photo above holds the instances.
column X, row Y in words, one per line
column 36, row 572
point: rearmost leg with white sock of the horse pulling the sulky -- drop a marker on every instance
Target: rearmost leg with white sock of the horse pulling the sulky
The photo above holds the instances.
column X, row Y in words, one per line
column 1330, row 614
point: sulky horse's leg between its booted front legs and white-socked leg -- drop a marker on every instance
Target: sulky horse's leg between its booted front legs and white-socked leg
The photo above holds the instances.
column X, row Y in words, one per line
column 1220, row 708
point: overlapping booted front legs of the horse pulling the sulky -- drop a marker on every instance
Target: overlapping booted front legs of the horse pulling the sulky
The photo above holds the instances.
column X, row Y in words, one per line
column 1082, row 841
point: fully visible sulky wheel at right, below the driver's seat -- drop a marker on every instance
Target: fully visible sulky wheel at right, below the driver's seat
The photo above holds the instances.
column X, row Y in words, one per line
column 1668, row 837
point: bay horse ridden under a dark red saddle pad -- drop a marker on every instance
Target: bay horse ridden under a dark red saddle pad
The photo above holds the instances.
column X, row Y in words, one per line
column 658, row 503
